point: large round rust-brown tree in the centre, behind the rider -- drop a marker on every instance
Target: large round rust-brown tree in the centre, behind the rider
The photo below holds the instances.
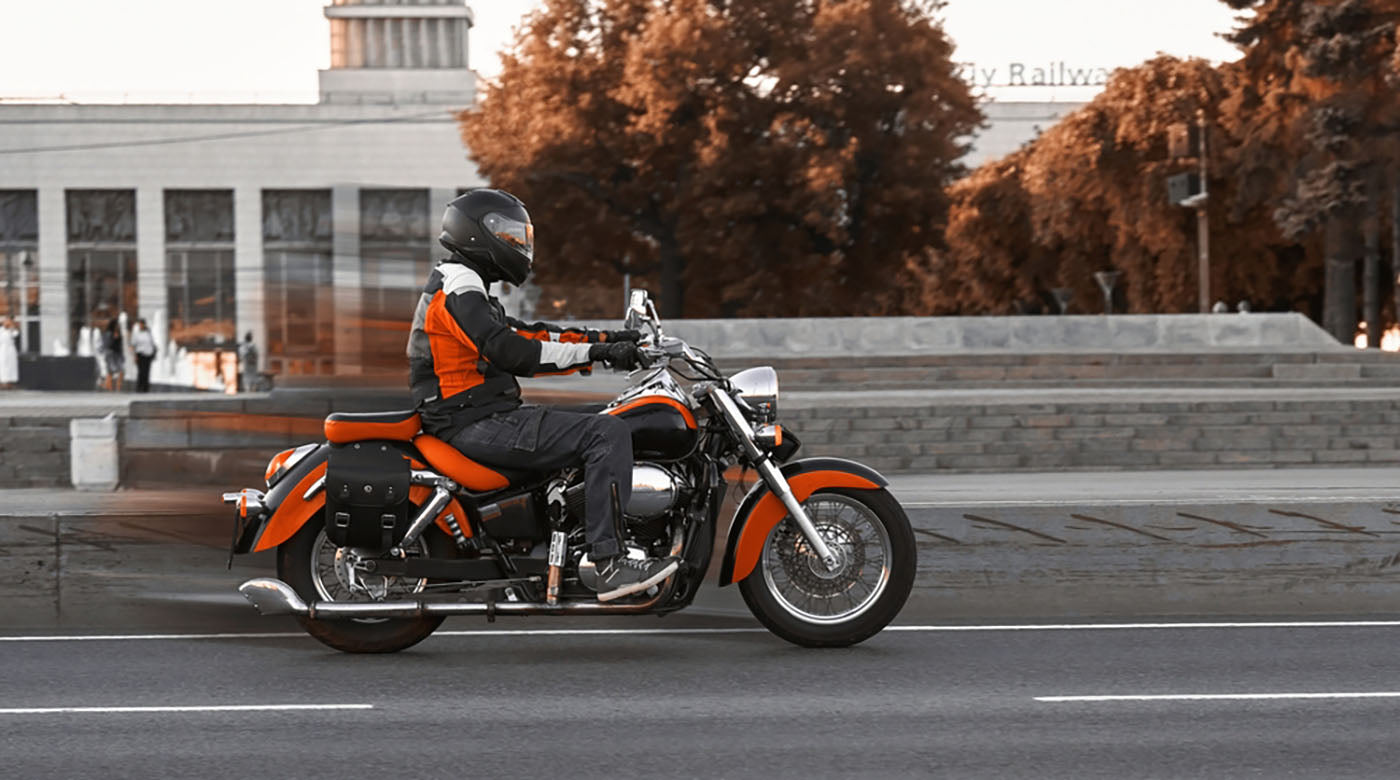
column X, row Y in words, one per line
column 783, row 158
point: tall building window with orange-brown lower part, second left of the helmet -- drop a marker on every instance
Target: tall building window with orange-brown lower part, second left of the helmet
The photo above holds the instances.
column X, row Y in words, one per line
column 300, row 303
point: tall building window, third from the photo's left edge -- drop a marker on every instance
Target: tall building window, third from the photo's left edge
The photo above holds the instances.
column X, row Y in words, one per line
column 199, row 268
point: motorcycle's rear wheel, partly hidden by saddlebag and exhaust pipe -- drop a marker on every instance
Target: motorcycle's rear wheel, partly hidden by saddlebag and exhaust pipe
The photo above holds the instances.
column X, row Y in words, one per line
column 316, row 569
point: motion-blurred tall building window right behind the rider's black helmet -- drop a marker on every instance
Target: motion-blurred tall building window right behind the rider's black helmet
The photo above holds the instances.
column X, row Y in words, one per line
column 395, row 257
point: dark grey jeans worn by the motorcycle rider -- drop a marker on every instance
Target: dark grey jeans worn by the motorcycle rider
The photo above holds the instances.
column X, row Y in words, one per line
column 540, row 439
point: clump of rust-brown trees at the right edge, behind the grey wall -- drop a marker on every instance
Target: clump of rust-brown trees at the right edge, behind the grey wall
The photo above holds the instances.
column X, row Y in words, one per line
column 1297, row 128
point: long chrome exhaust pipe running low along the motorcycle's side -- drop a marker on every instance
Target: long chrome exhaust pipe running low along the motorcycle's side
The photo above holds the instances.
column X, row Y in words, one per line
column 275, row 597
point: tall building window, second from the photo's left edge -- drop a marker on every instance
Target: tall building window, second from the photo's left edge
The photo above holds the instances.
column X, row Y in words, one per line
column 101, row 228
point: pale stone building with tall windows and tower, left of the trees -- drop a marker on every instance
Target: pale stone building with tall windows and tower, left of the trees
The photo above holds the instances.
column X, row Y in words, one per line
column 310, row 226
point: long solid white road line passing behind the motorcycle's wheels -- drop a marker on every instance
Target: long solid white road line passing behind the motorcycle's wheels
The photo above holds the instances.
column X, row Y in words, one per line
column 752, row 631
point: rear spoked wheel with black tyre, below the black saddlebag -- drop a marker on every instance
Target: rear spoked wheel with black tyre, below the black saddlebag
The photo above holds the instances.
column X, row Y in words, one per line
column 297, row 565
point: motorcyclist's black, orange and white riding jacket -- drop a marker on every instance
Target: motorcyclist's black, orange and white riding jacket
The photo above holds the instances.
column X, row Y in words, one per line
column 465, row 352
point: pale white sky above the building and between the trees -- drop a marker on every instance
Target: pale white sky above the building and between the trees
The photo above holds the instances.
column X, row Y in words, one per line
column 269, row 51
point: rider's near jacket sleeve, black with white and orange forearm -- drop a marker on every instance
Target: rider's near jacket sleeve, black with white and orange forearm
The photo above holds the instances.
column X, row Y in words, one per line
column 505, row 348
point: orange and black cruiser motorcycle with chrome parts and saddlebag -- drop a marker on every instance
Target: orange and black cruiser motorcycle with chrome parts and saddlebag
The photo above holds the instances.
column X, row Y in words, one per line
column 383, row 531
